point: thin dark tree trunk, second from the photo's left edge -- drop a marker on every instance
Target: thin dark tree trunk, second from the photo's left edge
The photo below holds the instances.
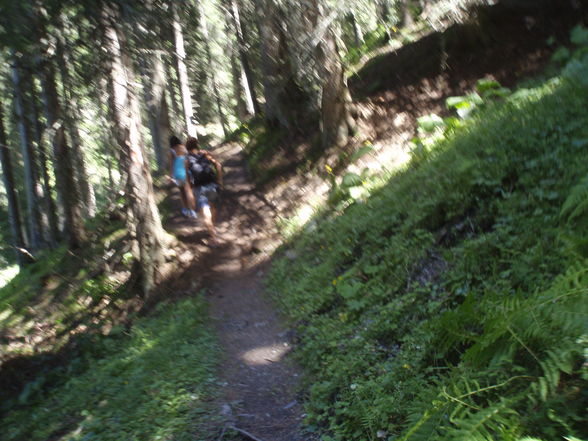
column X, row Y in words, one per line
column 30, row 175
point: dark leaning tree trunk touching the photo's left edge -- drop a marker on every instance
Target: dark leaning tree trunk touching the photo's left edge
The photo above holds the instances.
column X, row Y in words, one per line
column 22, row 256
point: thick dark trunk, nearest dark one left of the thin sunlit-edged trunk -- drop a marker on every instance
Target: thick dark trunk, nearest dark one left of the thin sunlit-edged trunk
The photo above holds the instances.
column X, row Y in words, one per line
column 63, row 163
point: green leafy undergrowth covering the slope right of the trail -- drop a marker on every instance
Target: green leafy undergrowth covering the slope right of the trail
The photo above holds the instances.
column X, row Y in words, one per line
column 452, row 304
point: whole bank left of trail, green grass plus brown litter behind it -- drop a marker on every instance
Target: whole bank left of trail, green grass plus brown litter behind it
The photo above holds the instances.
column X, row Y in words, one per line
column 107, row 374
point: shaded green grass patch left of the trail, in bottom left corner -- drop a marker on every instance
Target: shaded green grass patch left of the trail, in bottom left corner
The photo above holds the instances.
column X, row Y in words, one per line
column 150, row 383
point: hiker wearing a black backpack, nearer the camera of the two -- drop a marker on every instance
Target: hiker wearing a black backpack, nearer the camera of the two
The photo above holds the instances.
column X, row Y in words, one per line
column 206, row 176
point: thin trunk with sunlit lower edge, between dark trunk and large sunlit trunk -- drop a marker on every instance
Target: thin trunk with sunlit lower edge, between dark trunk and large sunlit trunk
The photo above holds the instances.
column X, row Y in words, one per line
column 70, row 109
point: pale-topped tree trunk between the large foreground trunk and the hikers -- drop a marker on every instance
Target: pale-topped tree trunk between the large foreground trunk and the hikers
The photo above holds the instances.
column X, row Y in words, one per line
column 157, row 110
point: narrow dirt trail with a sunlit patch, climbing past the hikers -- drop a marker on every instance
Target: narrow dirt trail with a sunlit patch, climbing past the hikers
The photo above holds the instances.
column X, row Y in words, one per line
column 259, row 381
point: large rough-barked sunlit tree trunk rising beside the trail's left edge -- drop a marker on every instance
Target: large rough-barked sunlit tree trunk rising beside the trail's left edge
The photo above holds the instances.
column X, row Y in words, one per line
column 151, row 238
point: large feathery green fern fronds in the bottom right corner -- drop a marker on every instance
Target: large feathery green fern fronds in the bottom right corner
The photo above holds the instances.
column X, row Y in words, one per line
column 539, row 336
